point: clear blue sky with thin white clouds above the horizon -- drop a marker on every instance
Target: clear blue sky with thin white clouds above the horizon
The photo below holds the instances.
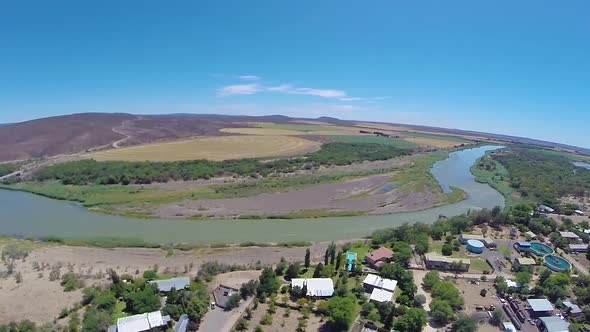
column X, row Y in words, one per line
column 511, row 67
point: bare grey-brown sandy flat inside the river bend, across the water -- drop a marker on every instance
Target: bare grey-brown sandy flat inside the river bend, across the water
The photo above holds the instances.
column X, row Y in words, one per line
column 359, row 195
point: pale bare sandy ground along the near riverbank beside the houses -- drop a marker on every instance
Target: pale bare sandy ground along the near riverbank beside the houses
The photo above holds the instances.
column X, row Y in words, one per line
column 41, row 300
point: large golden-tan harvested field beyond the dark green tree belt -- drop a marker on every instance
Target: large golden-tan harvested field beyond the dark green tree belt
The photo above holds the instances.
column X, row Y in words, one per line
column 212, row 148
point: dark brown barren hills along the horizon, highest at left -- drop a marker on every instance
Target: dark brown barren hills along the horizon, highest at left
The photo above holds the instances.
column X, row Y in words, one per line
column 80, row 132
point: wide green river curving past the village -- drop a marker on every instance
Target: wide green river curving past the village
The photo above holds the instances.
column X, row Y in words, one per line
column 28, row 215
